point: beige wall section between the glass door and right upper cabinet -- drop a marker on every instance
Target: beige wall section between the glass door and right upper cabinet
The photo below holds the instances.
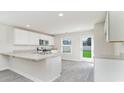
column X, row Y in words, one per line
column 101, row 47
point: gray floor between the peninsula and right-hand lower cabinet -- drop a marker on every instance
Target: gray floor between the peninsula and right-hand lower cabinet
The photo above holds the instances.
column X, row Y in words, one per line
column 76, row 72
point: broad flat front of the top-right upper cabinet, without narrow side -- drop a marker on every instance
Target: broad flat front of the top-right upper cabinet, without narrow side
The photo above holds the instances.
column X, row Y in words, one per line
column 116, row 19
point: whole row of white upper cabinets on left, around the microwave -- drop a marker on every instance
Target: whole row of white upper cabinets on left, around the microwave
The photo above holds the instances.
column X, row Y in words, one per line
column 23, row 37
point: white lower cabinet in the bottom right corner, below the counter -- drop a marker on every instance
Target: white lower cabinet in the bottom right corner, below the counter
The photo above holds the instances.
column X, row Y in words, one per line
column 109, row 70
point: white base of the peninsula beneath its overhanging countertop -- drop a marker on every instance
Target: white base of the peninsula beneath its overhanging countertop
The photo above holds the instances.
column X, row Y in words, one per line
column 45, row 70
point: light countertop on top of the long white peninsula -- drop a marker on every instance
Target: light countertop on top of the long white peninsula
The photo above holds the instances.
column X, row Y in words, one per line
column 30, row 55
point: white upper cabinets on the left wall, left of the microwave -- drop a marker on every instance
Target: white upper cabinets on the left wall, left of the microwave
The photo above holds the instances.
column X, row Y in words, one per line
column 23, row 37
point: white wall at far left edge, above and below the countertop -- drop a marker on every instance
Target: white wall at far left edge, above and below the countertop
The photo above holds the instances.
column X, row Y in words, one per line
column 6, row 43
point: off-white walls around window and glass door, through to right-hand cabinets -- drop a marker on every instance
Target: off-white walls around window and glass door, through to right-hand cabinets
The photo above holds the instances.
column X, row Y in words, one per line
column 101, row 47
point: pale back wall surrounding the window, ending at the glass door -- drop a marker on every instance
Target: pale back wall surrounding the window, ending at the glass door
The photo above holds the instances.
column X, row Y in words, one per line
column 76, row 36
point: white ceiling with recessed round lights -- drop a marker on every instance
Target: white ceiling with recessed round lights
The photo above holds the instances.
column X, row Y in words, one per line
column 50, row 22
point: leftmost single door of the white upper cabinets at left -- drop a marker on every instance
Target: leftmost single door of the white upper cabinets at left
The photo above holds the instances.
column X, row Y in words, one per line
column 20, row 37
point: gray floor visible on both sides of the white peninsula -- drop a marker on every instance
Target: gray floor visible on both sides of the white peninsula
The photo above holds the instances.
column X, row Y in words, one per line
column 71, row 72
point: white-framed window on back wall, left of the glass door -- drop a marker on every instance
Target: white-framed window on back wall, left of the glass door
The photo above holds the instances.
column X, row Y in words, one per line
column 66, row 45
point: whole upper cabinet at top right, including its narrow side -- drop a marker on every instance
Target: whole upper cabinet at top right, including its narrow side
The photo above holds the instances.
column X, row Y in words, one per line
column 114, row 26
